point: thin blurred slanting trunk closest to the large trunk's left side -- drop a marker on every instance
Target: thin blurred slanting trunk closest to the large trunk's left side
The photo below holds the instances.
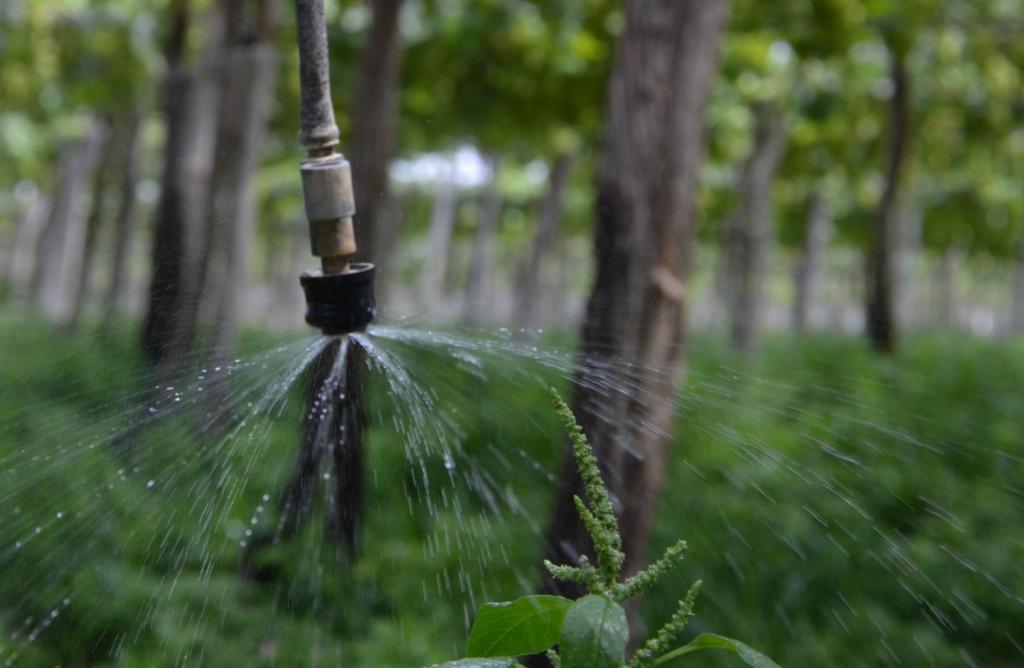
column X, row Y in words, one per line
column 532, row 283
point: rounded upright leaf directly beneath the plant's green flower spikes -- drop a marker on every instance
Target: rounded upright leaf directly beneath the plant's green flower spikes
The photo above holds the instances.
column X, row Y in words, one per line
column 594, row 635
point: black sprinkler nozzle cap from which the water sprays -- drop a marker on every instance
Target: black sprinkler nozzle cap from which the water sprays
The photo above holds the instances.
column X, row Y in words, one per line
column 340, row 304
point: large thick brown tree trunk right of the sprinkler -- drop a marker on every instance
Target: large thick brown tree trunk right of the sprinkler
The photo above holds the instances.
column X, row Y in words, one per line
column 647, row 203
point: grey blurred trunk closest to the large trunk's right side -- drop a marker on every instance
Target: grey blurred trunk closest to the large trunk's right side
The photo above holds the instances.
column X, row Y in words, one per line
column 752, row 230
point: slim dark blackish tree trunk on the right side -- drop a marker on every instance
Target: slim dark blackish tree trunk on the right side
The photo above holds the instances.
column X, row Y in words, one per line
column 880, row 317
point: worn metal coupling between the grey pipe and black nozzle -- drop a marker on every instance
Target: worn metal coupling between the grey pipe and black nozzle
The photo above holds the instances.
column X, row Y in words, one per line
column 330, row 203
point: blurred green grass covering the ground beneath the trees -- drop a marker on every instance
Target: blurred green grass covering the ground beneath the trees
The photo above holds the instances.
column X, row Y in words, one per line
column 841, row 509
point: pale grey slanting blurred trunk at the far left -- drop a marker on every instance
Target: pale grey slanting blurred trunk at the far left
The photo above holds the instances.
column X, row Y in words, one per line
column 59, row 252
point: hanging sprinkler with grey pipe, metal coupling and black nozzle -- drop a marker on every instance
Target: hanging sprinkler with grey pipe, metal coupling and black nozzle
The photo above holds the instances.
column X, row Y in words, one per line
column 340, row 295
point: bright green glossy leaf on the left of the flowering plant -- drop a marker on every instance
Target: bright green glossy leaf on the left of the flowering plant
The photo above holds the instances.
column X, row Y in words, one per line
column 525, row 627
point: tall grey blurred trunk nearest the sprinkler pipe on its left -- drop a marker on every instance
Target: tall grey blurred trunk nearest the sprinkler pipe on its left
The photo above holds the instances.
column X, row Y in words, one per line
column 247, row 79
